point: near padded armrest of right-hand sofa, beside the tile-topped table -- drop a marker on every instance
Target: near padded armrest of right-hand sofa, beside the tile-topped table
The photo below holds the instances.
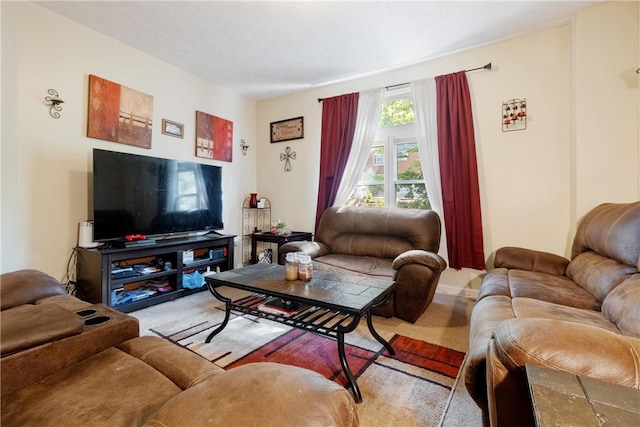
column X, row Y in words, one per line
column 571, row 347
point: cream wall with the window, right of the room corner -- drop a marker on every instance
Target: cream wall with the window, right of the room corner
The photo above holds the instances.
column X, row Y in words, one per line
column 534, row 184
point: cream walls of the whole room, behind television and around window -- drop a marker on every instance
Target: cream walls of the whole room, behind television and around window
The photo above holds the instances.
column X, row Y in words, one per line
column 581, row 146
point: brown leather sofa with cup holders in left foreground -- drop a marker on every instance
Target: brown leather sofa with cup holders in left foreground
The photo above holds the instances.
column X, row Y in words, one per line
column 66, row 362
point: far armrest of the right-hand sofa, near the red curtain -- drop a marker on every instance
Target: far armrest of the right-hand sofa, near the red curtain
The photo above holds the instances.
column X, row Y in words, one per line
column 530, row 260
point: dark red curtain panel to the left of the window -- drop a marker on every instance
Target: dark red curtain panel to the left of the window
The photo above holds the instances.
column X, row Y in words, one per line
column 338, row 126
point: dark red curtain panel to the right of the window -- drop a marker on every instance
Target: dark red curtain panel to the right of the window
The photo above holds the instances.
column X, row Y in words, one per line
column 459, row 172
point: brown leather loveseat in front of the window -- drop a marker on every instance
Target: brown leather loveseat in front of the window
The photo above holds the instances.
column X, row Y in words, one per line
column 400, row 244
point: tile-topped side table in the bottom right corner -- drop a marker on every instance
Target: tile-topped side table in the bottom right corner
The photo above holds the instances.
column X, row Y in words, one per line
column 561, row 398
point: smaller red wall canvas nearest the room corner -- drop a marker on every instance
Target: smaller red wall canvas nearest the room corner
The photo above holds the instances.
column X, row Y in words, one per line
column 214, row 137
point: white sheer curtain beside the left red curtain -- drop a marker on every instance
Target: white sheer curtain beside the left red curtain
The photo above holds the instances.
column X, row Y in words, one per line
column 366, row 125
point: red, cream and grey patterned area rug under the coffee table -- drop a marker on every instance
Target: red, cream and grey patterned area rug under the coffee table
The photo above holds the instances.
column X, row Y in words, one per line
column 411, row 388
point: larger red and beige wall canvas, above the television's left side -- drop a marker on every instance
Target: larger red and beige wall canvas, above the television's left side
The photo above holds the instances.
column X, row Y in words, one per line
column 119, row 114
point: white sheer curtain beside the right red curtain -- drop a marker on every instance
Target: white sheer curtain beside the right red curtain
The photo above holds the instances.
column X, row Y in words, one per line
column 425, row 111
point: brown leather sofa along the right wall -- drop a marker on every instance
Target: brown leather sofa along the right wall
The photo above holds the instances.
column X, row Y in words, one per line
column 580, row 316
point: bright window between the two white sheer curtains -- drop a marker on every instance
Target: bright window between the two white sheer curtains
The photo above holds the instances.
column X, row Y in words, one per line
column 393, row 174
